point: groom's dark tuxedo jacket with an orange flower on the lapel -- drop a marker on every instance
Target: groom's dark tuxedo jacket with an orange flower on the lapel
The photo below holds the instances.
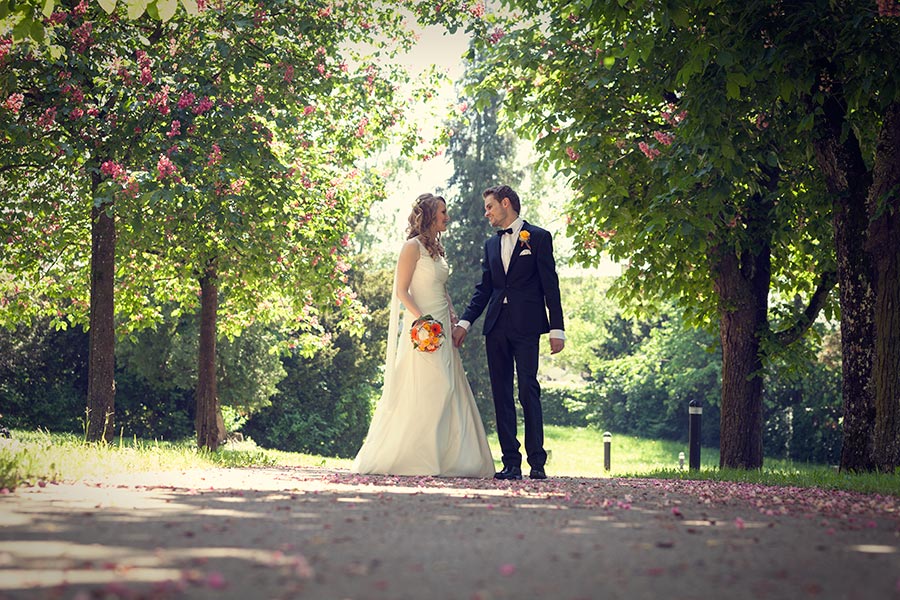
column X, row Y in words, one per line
column 530, row 285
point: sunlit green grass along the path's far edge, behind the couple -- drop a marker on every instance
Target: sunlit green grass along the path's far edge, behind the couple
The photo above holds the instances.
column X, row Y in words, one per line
column 30, row 457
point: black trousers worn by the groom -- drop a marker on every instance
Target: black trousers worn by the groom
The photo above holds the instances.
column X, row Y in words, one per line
column 510, row 352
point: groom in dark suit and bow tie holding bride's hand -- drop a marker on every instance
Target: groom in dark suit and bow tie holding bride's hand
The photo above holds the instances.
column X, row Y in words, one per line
column 519, row 287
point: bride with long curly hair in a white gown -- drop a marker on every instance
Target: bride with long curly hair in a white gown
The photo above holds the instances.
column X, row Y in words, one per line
column 426, row 422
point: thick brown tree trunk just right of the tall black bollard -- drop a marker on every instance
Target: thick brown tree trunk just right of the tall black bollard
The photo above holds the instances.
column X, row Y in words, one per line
column 742, row 285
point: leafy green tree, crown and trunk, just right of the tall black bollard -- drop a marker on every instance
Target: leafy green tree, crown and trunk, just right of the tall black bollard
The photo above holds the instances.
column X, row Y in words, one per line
column 676, row 172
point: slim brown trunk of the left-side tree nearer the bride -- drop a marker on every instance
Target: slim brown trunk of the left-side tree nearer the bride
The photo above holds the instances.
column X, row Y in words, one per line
column 207, row 396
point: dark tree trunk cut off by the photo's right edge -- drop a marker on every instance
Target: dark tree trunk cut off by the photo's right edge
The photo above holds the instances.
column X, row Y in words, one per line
column 884, row 247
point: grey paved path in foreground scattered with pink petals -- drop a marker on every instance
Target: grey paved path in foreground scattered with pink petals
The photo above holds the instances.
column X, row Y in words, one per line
column 315, row 533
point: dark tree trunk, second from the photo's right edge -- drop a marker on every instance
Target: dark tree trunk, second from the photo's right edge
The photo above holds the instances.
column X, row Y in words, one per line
column 848, row 181
